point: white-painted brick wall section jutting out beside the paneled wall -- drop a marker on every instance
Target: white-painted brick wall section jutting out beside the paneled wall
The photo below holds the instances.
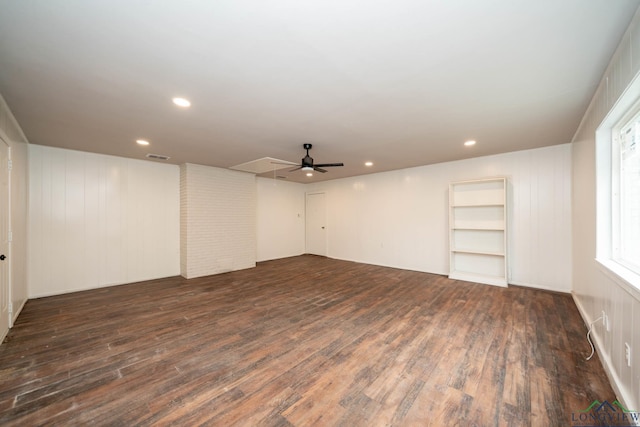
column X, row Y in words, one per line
column 217, row 220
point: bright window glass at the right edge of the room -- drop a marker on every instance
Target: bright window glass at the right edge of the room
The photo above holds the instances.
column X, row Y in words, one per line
column 625, row 180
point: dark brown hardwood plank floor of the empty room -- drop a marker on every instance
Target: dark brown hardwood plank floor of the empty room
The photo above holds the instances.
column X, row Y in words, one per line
column 300, row 341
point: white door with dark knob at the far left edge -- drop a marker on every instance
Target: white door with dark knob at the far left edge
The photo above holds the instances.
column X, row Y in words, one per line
column 4, row 240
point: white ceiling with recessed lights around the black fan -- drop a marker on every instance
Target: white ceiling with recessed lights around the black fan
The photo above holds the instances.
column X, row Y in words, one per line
column 401, row 83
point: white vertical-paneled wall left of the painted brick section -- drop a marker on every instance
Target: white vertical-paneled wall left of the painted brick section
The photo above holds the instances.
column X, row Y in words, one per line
column 99, row 220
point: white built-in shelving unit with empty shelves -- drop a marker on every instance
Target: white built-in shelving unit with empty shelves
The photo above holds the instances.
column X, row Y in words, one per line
column 478, row 231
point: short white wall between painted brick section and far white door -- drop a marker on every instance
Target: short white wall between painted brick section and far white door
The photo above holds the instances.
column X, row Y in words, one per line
column 280, row 223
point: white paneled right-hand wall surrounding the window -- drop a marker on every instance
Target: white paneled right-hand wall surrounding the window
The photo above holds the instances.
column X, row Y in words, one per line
column 594, row 289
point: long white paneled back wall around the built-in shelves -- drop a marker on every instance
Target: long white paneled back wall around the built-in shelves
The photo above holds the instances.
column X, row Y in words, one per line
column 399, row 218
